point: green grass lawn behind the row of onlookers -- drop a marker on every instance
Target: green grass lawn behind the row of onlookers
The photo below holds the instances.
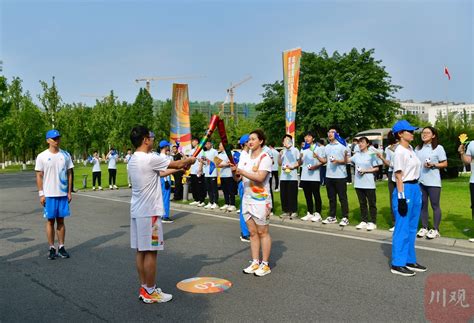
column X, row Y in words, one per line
column 455, row 200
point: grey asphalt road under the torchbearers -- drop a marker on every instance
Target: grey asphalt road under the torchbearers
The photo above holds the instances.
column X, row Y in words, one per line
column 316, row 277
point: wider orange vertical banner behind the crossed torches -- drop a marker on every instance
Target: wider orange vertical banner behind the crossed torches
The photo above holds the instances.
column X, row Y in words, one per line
column 180, row 125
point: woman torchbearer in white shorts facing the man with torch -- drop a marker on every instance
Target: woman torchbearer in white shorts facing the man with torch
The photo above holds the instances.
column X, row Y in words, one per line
column 254, row 170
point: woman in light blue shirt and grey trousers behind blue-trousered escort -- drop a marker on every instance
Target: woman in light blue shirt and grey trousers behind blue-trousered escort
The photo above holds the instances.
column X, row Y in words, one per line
column 433, row 158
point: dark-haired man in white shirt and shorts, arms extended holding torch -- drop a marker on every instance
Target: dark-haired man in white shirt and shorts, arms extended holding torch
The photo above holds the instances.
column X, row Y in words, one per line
column 146, row 210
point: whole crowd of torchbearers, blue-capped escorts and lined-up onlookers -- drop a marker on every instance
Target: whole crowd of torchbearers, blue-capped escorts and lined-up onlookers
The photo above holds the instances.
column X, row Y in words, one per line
column 413, row 180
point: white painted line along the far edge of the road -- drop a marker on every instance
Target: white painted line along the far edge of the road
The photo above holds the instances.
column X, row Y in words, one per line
column 453, row 252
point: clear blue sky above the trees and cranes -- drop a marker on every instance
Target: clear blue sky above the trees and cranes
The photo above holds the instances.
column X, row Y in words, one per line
column 94, row 46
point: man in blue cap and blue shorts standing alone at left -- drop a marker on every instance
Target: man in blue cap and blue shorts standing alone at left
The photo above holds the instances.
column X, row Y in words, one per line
column 54, row 181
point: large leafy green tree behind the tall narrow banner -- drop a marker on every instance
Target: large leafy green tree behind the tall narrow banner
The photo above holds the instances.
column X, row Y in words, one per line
column 351, row 91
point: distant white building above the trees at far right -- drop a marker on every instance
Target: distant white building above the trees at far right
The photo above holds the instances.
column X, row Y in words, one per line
column 429, row 111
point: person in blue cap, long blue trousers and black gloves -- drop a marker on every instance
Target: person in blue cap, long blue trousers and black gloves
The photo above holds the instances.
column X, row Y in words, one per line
column 406, row 202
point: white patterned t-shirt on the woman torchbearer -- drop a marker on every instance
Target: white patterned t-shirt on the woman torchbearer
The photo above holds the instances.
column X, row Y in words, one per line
column 256, row 193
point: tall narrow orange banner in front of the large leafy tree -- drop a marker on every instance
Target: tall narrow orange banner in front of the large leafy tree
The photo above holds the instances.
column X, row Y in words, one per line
column 291, row 76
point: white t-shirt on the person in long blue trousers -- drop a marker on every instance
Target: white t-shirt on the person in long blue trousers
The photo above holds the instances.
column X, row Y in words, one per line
column 405, row 160
